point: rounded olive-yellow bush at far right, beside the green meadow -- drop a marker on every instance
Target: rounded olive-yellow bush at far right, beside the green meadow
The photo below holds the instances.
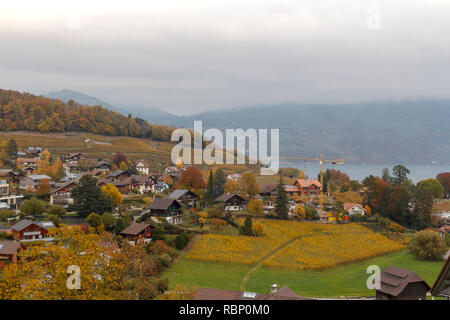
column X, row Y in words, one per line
column 428, row 245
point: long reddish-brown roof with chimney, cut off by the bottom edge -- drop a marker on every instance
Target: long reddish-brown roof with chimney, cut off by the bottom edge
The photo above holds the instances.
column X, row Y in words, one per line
column 283, row 293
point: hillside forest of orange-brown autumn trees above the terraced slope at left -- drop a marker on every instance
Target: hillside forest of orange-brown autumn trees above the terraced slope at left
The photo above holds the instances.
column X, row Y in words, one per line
column 24, row 111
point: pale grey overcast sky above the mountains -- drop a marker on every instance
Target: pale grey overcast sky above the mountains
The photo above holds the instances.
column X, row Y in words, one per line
column 188, row 56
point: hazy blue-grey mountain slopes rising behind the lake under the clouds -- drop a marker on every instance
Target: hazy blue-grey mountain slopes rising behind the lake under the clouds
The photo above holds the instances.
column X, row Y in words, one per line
column 381, row 132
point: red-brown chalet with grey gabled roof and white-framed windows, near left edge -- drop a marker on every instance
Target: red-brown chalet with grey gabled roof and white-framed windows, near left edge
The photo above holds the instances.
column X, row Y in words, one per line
column 27, row 230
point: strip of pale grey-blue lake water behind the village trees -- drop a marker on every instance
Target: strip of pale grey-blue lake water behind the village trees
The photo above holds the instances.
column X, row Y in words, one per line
column 360, row 171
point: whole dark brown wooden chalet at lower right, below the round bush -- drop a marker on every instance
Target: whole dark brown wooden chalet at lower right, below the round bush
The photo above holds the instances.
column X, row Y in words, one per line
column 401, row 284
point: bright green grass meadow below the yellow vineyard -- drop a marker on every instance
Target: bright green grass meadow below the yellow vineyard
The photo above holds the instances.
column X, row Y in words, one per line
column 344, row 280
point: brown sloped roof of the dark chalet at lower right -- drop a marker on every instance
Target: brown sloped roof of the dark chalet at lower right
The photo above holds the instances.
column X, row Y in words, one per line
column 394, row 280
